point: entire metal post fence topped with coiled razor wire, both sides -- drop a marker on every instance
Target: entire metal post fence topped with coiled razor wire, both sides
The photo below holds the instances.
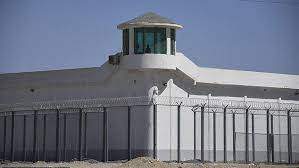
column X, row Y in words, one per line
column 60, row 112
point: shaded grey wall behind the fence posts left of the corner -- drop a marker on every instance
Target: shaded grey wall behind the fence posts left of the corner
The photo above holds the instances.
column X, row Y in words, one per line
column 141, row 134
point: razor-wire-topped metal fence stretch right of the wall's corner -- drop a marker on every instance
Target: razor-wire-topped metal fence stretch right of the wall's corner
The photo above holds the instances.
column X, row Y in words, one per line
column 246, row 140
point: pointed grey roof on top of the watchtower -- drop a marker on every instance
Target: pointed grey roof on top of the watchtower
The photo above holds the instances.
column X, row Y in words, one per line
column 149, row 19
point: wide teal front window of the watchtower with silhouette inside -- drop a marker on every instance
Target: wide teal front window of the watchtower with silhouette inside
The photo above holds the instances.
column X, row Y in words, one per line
column 150, row 40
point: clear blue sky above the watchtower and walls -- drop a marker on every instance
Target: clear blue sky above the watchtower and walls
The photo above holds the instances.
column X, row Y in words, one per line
column 256, row 35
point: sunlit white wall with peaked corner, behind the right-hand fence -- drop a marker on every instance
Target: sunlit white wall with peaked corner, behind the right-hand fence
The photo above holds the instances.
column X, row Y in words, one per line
column 168, row 125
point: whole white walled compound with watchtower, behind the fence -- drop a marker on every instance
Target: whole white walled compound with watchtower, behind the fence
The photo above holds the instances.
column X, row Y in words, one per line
column 148, row 66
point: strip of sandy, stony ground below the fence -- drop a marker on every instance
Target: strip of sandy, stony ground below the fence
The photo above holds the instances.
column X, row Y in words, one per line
column 142, row 162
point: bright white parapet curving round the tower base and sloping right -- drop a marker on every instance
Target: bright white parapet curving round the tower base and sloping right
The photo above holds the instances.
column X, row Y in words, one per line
column 210, row 75
